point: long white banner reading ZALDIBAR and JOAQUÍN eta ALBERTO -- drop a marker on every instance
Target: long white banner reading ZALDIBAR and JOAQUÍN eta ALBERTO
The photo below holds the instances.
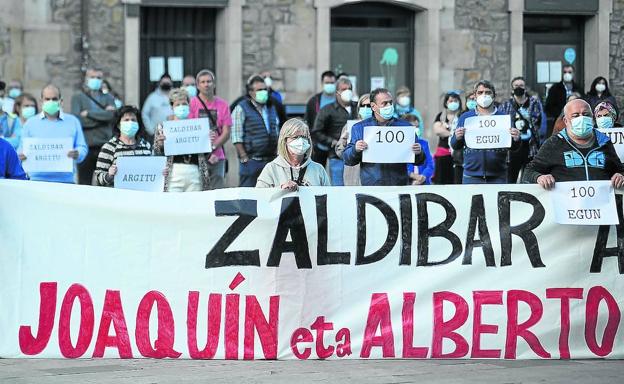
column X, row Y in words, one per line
column 337, row 273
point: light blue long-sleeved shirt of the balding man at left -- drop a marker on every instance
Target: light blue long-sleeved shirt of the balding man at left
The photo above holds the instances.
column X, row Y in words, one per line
column 66, row 125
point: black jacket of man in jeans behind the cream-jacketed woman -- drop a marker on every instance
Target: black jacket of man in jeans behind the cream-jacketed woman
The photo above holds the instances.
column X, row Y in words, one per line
column 329, row 123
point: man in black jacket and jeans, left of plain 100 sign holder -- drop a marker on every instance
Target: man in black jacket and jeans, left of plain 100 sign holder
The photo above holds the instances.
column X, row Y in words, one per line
column 329, row 123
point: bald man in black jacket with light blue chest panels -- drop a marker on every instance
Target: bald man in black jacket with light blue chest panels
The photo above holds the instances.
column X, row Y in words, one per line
column 577, row 153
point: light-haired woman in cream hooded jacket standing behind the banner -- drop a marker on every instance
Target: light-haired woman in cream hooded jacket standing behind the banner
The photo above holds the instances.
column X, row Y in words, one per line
column 293, row 167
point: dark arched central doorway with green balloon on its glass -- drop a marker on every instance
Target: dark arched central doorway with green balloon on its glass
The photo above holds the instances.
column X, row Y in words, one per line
column 373, row 43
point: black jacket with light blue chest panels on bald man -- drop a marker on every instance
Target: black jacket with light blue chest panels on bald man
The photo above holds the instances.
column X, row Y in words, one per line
column 560, row 158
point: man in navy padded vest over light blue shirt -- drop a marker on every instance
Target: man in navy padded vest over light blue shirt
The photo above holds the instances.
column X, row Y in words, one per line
column 255, row 128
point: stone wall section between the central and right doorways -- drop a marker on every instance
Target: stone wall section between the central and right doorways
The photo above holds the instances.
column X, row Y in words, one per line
column 484, row 27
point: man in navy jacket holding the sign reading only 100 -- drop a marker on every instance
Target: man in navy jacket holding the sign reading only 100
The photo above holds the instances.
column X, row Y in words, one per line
column 383, row 115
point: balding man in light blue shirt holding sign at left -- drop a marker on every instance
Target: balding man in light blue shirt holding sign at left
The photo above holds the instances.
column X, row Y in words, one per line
column 53, row 123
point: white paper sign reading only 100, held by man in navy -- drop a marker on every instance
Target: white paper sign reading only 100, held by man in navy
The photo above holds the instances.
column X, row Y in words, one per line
column 389, row 145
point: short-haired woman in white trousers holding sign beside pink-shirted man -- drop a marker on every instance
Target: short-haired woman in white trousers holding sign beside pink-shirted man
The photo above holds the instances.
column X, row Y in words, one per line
column 187, row 173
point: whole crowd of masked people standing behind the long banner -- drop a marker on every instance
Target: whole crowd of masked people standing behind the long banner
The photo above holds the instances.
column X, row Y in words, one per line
column 559, row 141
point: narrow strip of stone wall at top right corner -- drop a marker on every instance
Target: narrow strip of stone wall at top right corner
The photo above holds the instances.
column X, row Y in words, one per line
column 616, row 52
